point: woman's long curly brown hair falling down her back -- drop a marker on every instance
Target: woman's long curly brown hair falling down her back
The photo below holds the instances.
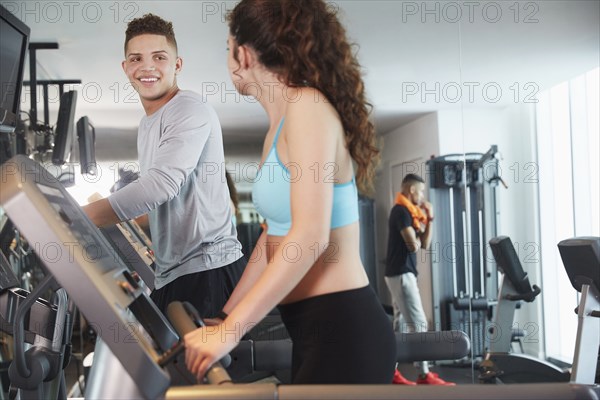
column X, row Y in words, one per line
column 304, row 43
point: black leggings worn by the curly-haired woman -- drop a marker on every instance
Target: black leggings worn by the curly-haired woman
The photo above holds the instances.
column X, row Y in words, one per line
column 340, row 338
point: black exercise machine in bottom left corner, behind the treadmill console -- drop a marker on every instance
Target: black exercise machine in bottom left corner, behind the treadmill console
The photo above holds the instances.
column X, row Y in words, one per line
column 42, row 336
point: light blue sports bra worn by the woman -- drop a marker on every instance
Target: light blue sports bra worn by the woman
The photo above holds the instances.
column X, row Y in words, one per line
column 271, row 195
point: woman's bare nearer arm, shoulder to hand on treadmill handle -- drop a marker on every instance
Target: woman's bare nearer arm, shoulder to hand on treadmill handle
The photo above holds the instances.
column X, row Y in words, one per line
column 311, row 146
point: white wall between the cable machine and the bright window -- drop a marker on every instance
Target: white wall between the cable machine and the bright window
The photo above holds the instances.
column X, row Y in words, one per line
column 512, row 129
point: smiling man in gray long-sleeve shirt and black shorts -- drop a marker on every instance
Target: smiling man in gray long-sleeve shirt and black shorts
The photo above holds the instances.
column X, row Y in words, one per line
column 182, row 186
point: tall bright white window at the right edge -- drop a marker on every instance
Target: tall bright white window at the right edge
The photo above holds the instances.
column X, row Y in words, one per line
column 568, row 155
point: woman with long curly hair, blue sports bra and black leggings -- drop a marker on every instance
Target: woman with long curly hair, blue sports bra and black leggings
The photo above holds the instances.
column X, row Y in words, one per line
column 293, row 57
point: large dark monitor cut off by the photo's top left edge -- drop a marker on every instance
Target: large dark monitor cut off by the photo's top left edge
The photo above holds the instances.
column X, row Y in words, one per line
column 14, row 38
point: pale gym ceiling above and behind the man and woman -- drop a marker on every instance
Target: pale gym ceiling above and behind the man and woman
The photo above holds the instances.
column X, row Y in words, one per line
column 418, row 57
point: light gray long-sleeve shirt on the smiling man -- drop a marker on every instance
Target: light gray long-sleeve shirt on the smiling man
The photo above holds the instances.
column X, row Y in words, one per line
column 183, row 189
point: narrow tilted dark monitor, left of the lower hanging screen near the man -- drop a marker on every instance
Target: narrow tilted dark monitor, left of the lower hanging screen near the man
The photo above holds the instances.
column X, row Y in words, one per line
column 65, row 126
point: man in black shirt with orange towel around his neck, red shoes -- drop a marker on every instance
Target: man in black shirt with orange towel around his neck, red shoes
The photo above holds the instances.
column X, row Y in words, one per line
column 409, row 228
